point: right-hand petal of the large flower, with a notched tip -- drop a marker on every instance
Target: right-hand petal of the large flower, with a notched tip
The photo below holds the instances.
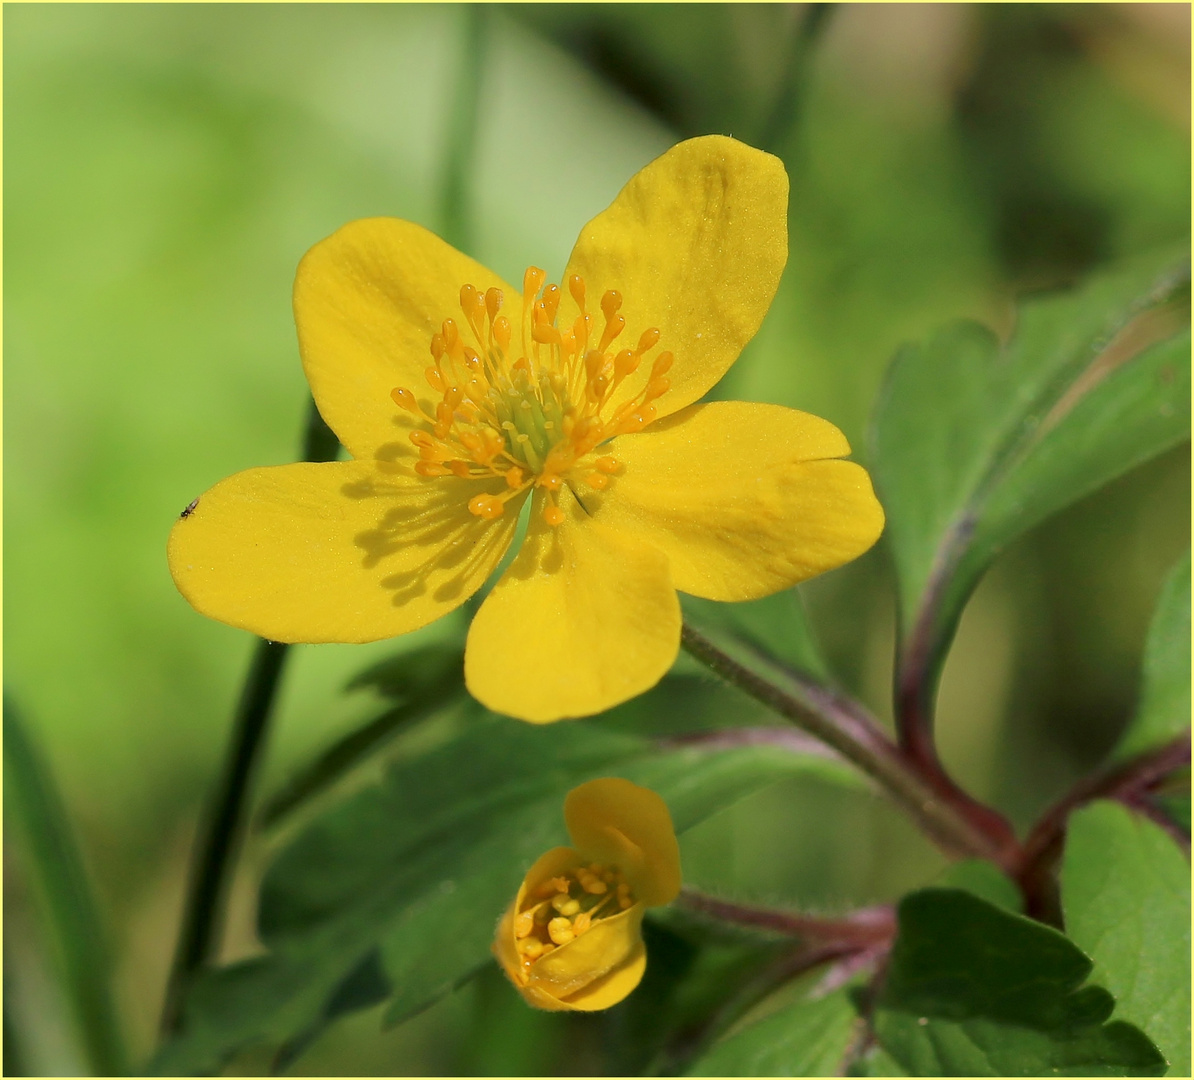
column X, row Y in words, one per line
column 744, row 499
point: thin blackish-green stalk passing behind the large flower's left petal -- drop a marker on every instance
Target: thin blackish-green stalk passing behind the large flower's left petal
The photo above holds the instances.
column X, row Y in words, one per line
column 225, row 823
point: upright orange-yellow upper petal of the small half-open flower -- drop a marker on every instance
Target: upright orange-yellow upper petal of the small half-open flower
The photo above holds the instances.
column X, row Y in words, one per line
column 612, row 820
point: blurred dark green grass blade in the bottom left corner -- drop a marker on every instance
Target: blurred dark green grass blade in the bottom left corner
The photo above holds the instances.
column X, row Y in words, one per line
column 57, row 868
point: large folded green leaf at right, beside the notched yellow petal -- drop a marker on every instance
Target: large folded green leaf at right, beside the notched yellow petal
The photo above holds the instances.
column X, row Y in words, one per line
column 976, row 442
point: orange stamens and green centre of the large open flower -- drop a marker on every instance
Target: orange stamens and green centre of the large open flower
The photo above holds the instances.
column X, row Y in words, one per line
column 533, row 415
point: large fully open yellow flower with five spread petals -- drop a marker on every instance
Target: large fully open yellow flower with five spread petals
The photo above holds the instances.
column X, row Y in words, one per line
column 581, row 399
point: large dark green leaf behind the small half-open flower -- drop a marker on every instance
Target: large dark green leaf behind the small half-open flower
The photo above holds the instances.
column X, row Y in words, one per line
column 422, row 866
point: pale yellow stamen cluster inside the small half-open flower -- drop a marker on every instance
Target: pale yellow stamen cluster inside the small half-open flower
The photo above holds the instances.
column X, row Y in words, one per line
column 568, row 906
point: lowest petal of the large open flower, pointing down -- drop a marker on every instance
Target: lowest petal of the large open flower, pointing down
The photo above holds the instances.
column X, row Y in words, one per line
column 583, row 620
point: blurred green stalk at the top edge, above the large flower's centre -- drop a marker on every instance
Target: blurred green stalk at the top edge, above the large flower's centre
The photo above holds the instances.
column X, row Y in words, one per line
column 456, row 211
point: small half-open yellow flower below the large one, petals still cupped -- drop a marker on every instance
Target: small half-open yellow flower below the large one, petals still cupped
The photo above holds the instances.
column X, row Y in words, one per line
column 573, row 940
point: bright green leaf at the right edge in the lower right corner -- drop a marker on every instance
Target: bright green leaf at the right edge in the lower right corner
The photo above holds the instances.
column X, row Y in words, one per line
column 1127, row 896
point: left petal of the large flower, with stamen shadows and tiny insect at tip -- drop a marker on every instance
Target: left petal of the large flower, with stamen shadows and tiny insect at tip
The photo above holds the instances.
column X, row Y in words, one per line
column 344, row 552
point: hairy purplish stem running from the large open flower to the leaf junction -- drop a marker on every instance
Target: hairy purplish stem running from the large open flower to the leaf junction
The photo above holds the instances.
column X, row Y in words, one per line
column 850, row 730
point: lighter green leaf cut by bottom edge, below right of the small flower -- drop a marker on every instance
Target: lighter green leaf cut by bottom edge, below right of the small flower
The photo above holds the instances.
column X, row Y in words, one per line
column 807, row 1039
